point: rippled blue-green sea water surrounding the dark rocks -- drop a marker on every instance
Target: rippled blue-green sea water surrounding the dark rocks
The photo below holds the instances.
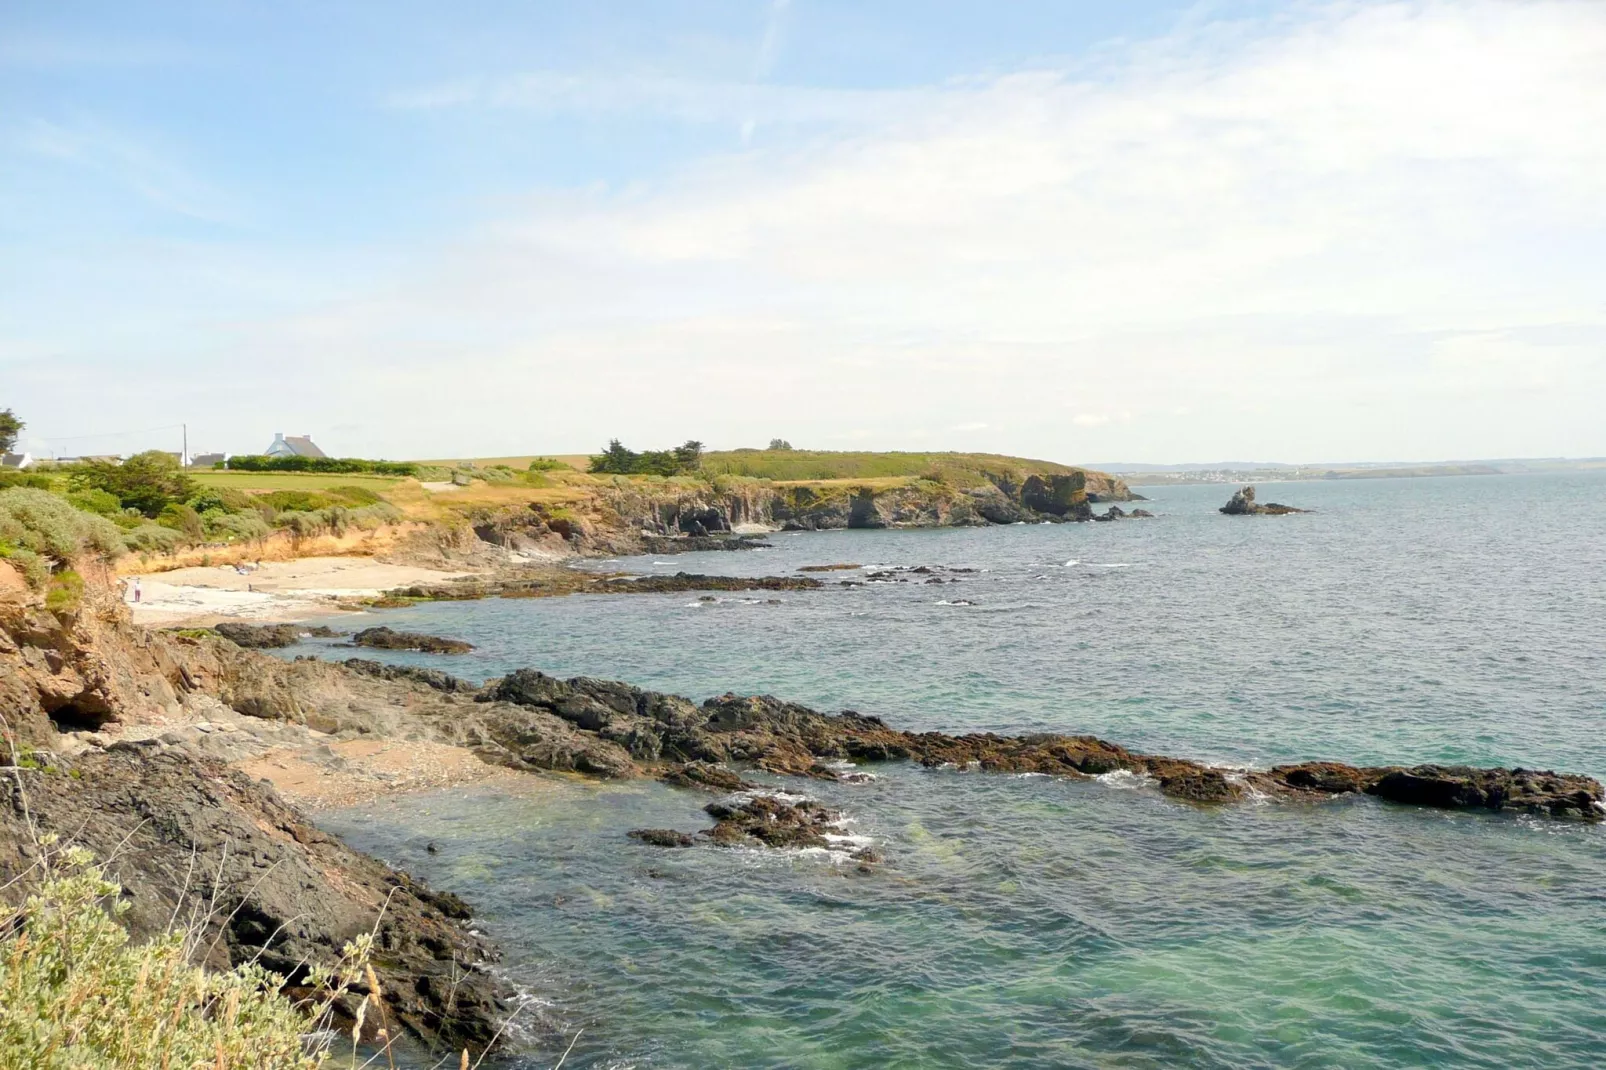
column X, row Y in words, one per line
column 1041, row 923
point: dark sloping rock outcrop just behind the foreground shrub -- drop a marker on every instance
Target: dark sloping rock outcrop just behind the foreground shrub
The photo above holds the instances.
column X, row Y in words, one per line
column 195, row 839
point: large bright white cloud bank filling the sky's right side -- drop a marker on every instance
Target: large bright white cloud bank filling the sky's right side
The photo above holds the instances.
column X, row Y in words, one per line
column 1358, row 231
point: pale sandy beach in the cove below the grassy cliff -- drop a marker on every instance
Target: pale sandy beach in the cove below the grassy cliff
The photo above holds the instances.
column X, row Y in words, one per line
column 277, row 590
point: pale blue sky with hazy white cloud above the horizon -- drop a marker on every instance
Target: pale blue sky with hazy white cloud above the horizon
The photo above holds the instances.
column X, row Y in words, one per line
column 1131, row 231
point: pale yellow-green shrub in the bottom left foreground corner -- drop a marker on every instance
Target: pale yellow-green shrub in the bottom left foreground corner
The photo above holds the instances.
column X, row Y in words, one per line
column 76, row 994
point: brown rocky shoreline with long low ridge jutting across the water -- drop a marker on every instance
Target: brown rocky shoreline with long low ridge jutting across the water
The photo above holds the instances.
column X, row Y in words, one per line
column 79, row 688
